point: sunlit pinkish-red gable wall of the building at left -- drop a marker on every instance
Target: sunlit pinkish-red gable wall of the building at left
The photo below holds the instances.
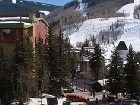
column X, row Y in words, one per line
column 40, row 30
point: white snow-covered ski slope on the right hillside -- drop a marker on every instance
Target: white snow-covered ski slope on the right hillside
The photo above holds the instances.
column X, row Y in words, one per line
column 130, row 29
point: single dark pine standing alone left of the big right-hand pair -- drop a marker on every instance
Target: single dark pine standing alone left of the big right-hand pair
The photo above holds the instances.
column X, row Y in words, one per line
column 96, row 63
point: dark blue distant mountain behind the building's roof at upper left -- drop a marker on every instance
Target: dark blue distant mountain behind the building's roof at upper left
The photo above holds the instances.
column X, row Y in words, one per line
column 23, row 7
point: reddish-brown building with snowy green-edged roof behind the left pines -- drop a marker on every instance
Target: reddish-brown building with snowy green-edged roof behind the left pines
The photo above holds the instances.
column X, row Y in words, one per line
column 13, row 27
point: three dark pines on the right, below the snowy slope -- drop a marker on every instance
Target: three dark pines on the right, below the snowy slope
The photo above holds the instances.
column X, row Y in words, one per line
column 122, row 78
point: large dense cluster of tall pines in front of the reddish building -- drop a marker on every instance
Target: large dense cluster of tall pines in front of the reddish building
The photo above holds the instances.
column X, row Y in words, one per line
column 36, row 69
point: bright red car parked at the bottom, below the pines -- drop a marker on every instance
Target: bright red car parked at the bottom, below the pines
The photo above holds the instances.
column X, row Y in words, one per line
column 75, row 98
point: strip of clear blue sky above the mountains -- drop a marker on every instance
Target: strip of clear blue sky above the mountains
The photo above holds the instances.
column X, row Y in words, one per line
column 55, row 2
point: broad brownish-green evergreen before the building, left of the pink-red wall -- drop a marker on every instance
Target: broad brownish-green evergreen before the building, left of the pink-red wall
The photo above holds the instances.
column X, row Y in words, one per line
column 23, row 76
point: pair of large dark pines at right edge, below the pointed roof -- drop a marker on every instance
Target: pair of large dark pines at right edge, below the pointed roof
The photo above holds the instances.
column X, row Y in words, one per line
column 124, row 78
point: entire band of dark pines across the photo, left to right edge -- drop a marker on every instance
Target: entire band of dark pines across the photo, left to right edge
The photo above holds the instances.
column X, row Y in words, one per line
column 45, row 67
